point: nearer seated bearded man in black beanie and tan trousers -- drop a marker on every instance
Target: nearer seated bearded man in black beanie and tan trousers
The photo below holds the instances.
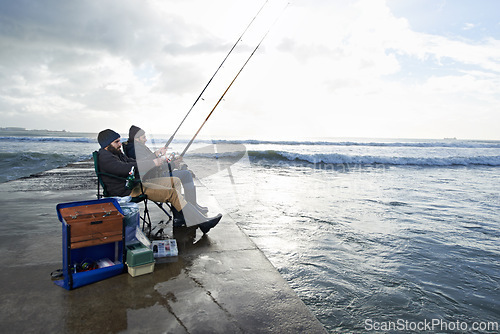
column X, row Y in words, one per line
column 113, row 161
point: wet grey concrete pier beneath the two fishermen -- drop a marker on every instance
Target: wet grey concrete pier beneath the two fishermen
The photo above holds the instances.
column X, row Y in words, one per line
column 219, row 283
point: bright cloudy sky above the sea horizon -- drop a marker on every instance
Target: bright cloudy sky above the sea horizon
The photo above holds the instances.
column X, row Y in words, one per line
column 327, row 68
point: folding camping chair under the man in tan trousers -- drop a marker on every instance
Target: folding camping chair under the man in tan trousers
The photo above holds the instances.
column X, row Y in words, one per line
column 145, row 218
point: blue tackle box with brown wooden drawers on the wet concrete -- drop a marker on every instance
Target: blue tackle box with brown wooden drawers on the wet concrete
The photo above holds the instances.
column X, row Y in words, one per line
column 92, row 241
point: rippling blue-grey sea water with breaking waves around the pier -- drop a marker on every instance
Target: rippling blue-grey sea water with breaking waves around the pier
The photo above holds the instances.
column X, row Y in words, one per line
column 373, row 235
